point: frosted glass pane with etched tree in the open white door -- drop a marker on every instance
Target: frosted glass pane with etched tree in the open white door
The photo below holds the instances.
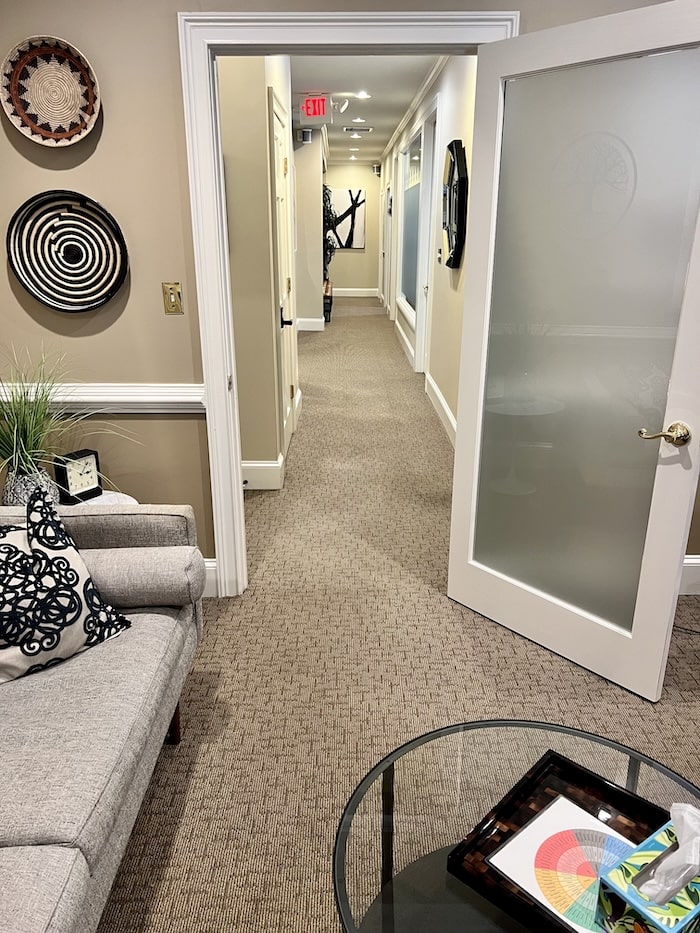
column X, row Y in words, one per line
column 597, row 204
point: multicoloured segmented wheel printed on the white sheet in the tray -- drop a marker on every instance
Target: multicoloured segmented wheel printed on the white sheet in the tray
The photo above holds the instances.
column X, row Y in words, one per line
column 567, row 867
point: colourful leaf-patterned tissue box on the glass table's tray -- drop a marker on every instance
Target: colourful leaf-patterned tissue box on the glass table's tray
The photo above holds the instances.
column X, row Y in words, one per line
column 622, row 908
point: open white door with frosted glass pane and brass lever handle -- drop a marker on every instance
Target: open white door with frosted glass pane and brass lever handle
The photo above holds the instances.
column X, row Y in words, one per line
column 581, row 327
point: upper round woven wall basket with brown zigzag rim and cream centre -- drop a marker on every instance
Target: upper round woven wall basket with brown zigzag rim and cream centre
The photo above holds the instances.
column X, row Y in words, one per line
column 49, row 91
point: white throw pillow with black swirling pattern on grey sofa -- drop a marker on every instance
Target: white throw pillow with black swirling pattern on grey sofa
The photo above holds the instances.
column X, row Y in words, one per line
column 49, row 607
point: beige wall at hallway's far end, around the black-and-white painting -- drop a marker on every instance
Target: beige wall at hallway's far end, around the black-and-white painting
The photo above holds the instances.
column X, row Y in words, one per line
column 357, row 268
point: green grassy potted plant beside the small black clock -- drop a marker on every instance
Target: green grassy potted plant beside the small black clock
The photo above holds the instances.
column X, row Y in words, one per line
column 33, row 425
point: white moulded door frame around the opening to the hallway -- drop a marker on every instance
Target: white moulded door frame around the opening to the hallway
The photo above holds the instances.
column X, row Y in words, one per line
column 203, row 36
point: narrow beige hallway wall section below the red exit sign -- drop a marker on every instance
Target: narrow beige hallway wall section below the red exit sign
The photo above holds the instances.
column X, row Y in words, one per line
column 308, row 265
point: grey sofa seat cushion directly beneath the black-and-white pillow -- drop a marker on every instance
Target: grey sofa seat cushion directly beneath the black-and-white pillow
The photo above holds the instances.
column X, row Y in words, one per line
column 72, row 736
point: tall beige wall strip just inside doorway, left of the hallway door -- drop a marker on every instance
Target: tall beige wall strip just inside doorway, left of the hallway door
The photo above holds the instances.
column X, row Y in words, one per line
column 245, row 147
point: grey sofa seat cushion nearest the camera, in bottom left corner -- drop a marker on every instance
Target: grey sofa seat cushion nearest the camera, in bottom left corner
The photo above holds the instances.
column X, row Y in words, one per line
column 44, row 889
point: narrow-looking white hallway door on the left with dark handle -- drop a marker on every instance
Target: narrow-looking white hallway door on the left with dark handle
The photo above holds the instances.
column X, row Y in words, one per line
column 283, row 262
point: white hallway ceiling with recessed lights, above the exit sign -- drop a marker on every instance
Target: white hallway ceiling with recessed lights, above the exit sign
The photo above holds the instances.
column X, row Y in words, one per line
column 392, row 80
